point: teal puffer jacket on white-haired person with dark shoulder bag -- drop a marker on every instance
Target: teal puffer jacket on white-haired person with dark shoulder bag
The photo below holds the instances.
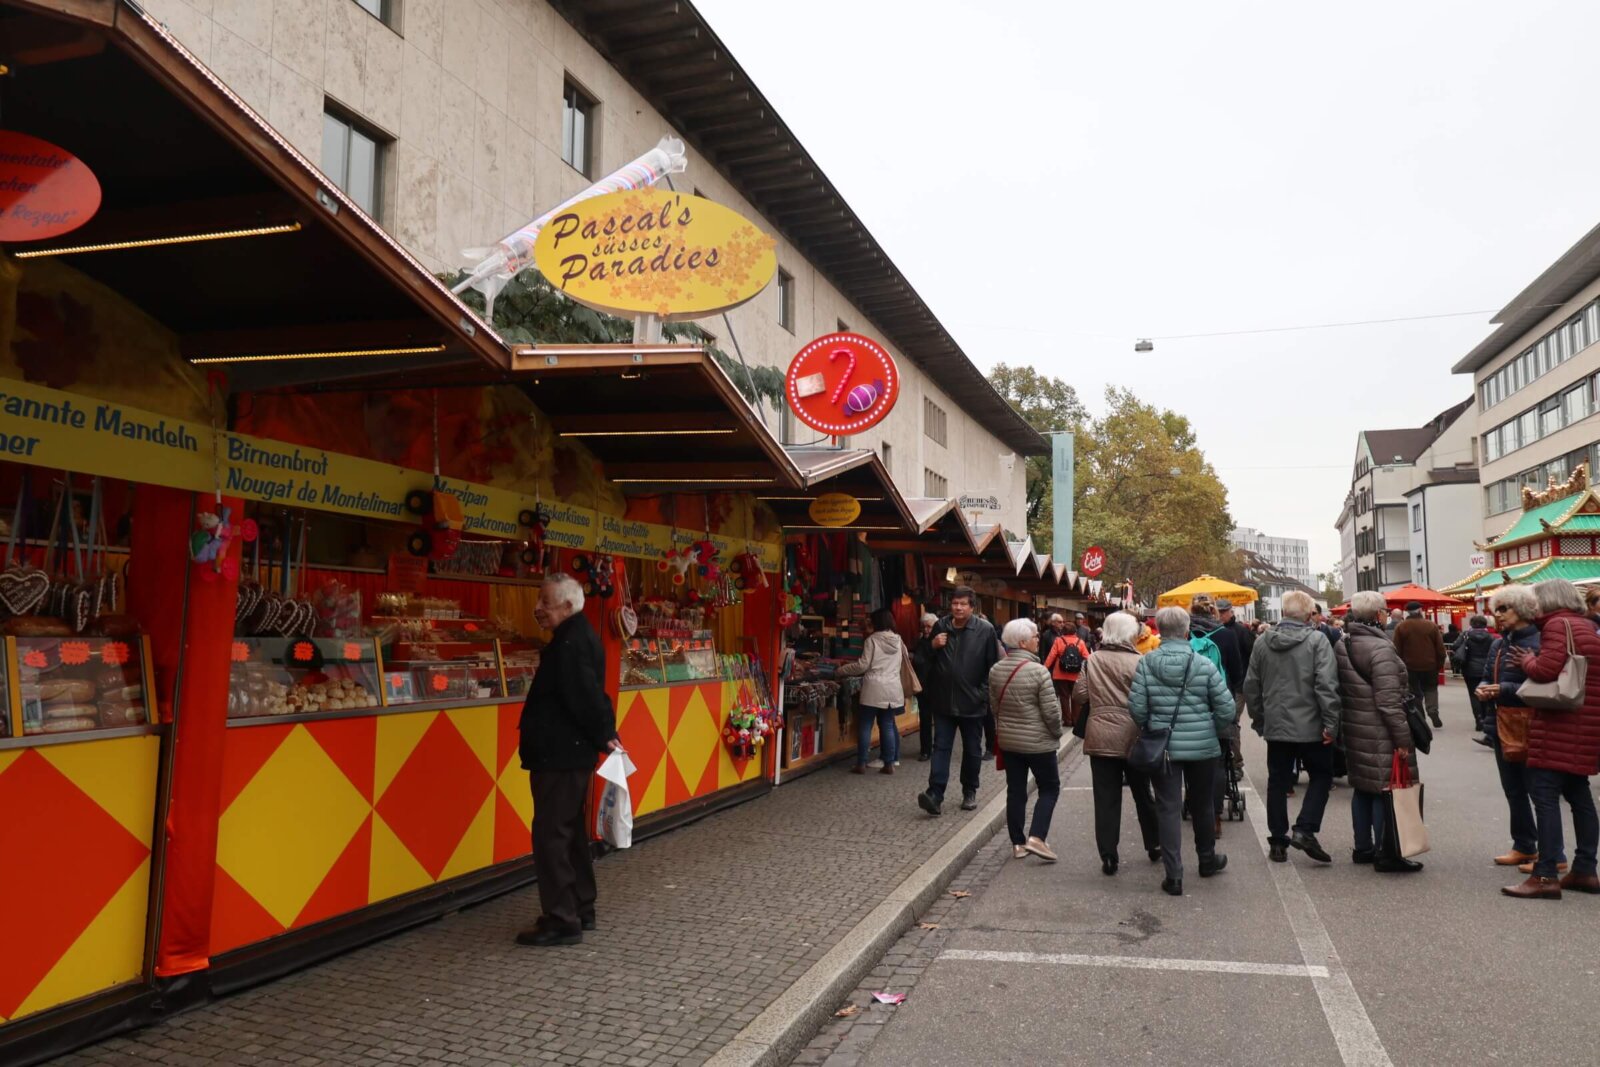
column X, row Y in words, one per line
column 1194, row 711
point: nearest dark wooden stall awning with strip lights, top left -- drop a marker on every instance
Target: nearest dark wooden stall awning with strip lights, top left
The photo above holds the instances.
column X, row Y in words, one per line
column 270, row 260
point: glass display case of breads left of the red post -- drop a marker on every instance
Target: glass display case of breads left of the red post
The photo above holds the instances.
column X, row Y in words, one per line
column 74, row 684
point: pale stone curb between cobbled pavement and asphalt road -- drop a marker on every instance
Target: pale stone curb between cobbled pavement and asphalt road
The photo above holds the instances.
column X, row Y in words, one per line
column 790, row 1023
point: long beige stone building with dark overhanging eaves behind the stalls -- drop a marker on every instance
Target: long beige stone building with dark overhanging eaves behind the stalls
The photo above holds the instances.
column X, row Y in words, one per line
column 455, row 122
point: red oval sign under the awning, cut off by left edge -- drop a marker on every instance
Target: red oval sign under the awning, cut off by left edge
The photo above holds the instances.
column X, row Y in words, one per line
column 44, row 191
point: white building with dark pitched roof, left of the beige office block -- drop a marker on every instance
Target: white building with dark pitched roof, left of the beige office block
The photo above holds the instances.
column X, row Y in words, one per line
column 1407, row 516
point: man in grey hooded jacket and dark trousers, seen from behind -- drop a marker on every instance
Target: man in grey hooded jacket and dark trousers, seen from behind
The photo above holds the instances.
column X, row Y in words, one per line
column 1292, row 692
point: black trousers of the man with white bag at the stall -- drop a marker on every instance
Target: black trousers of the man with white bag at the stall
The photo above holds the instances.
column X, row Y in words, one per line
column 562, row 861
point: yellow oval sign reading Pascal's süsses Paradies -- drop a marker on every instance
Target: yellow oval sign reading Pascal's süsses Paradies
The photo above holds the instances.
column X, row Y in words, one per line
column 655, row 252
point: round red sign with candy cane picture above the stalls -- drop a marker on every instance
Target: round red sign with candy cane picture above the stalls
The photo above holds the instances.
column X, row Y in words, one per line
column 842, row 385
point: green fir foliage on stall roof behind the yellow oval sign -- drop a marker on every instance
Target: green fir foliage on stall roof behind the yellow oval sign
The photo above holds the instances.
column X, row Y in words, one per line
column 530, row 311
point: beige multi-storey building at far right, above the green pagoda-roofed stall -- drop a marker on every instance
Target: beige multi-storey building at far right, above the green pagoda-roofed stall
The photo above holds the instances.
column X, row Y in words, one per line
column 1537, row 383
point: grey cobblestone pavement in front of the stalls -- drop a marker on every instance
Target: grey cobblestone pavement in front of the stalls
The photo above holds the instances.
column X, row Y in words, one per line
column 700, row 932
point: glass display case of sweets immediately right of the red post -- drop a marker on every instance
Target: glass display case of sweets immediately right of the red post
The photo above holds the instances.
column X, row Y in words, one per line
column 281, row 676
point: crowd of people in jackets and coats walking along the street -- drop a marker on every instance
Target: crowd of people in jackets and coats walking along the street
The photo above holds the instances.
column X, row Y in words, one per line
column 1332, row 698
